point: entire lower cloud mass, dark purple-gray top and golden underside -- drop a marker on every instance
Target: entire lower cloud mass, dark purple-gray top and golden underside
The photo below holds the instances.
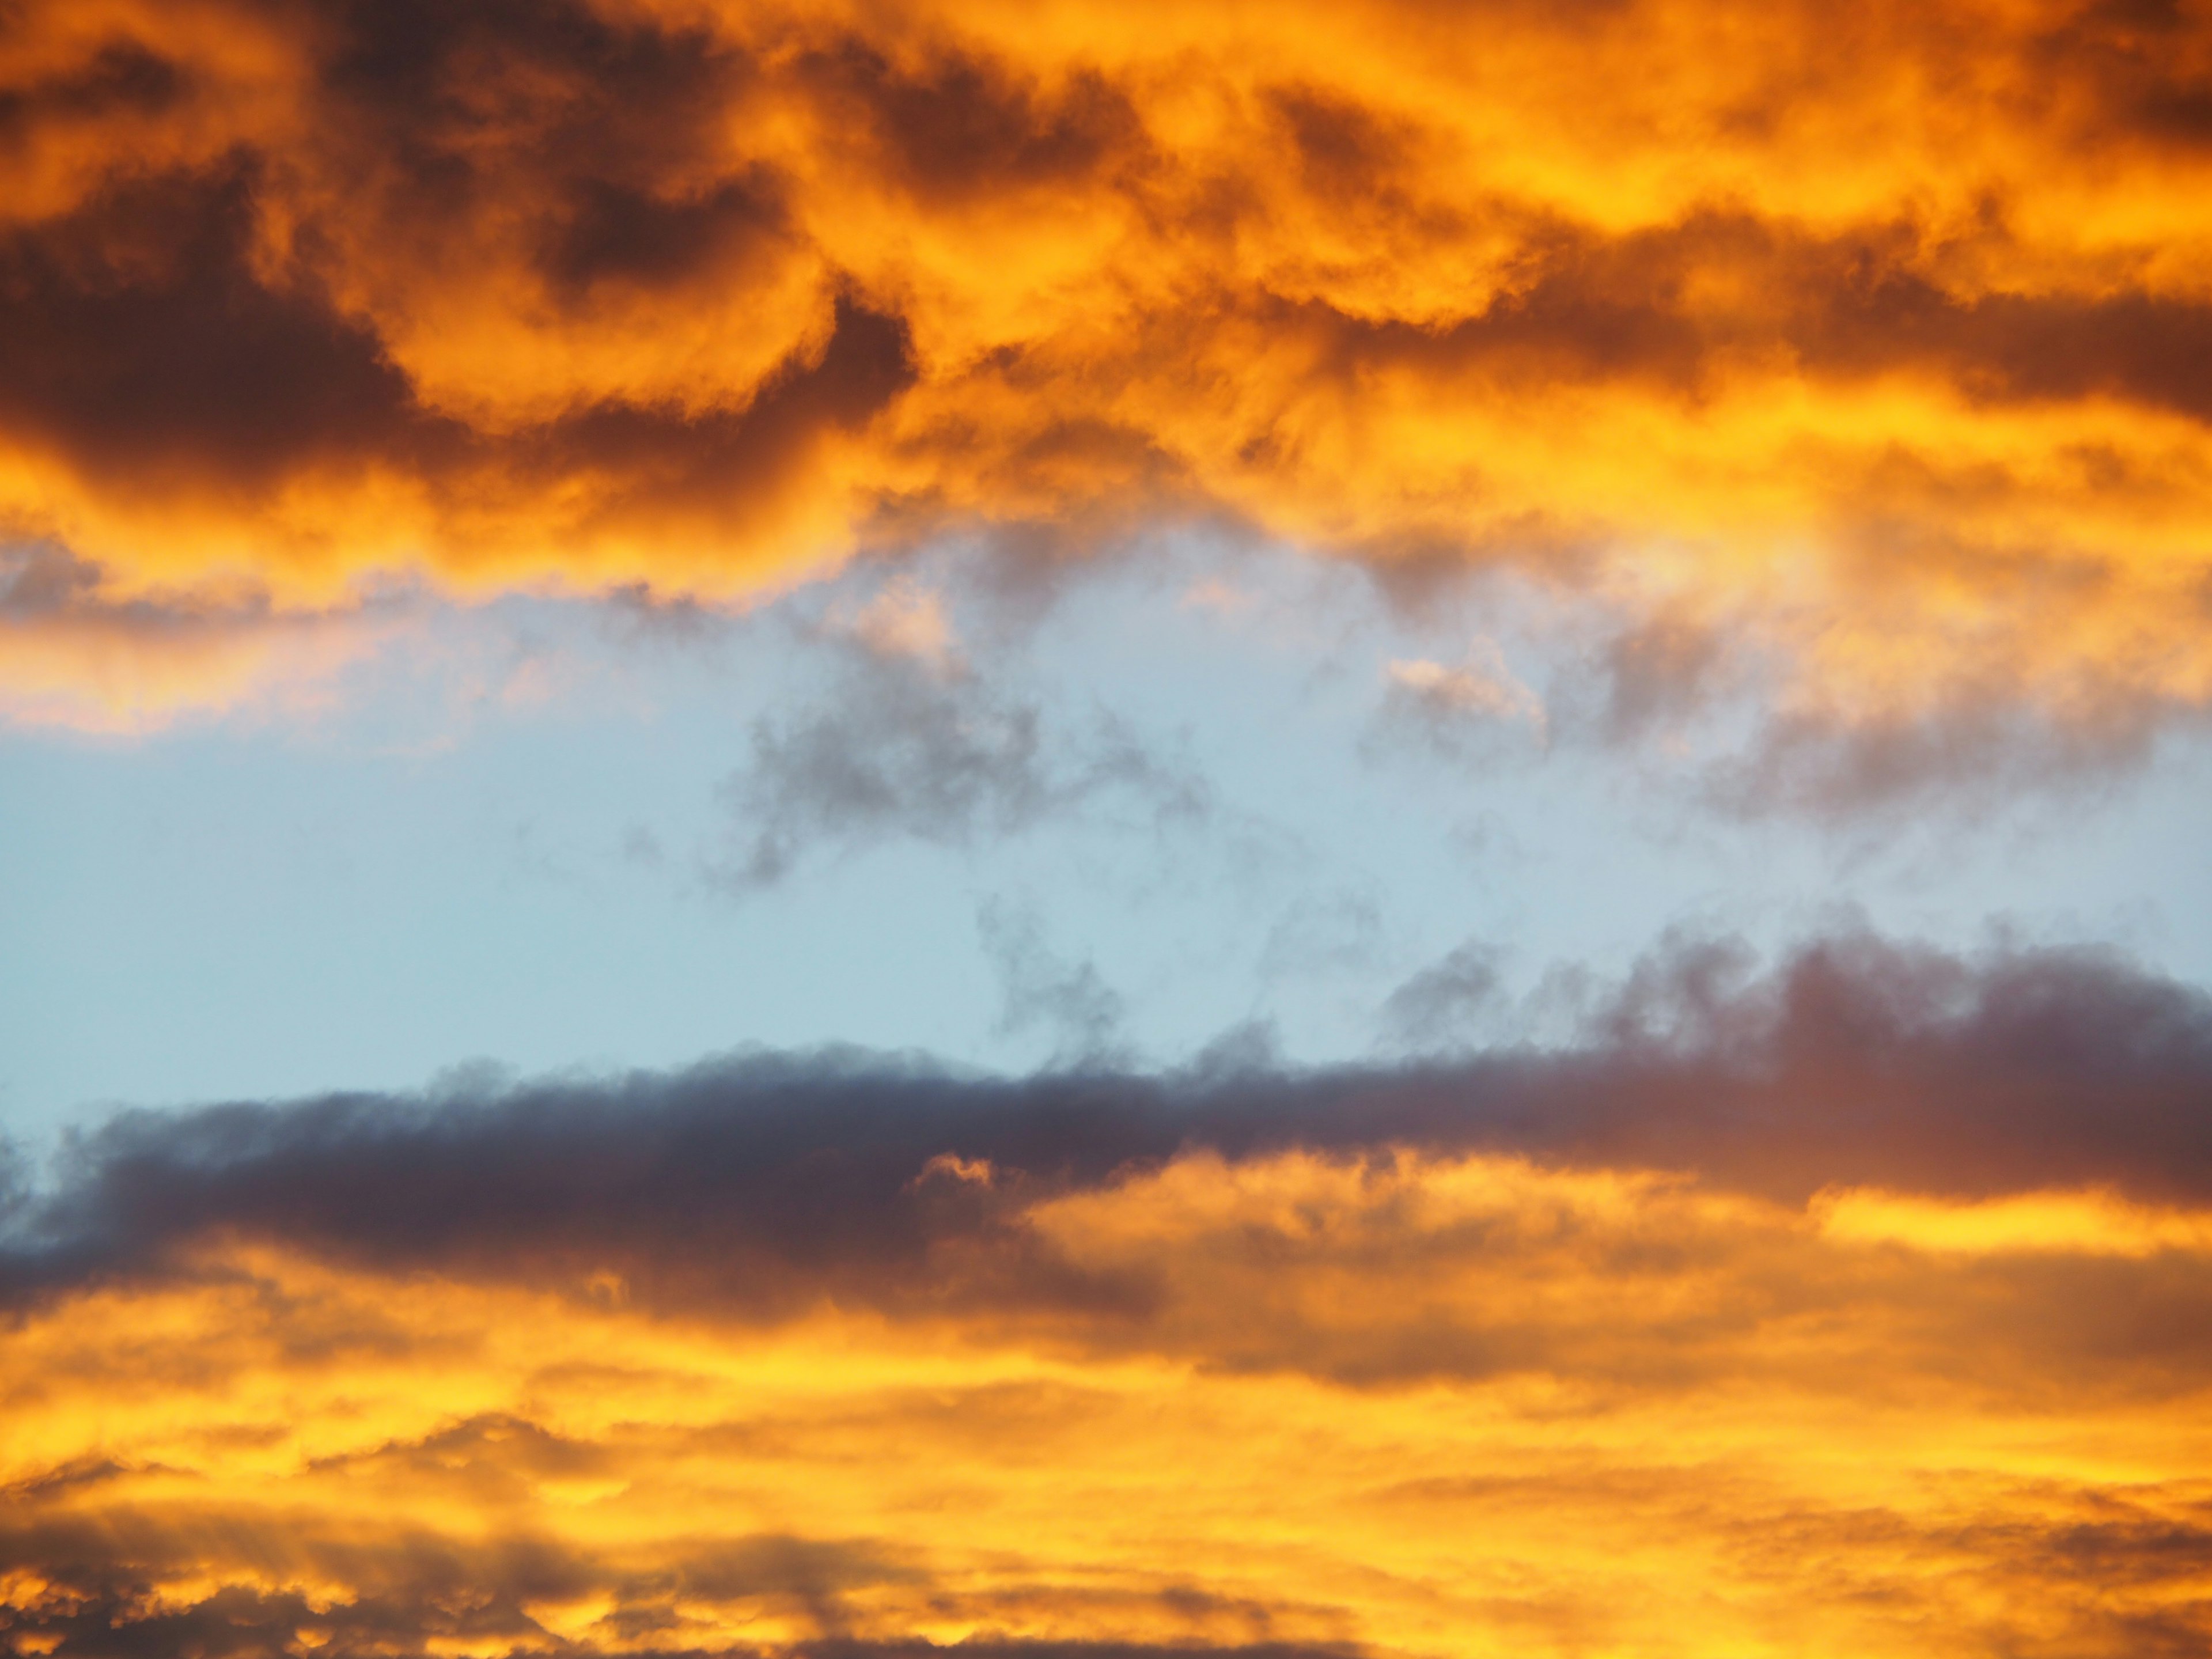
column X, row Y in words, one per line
column 1853, row 1311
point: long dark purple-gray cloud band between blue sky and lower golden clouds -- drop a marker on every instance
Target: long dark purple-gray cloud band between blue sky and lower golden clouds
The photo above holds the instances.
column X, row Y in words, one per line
column 764, row 1182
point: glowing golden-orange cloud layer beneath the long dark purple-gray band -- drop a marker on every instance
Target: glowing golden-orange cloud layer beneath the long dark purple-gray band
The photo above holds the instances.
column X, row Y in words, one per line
column 1401, row 1406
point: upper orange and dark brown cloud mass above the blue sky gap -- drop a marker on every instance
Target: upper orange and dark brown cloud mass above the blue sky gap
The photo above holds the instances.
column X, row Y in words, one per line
column 1875, row 342
